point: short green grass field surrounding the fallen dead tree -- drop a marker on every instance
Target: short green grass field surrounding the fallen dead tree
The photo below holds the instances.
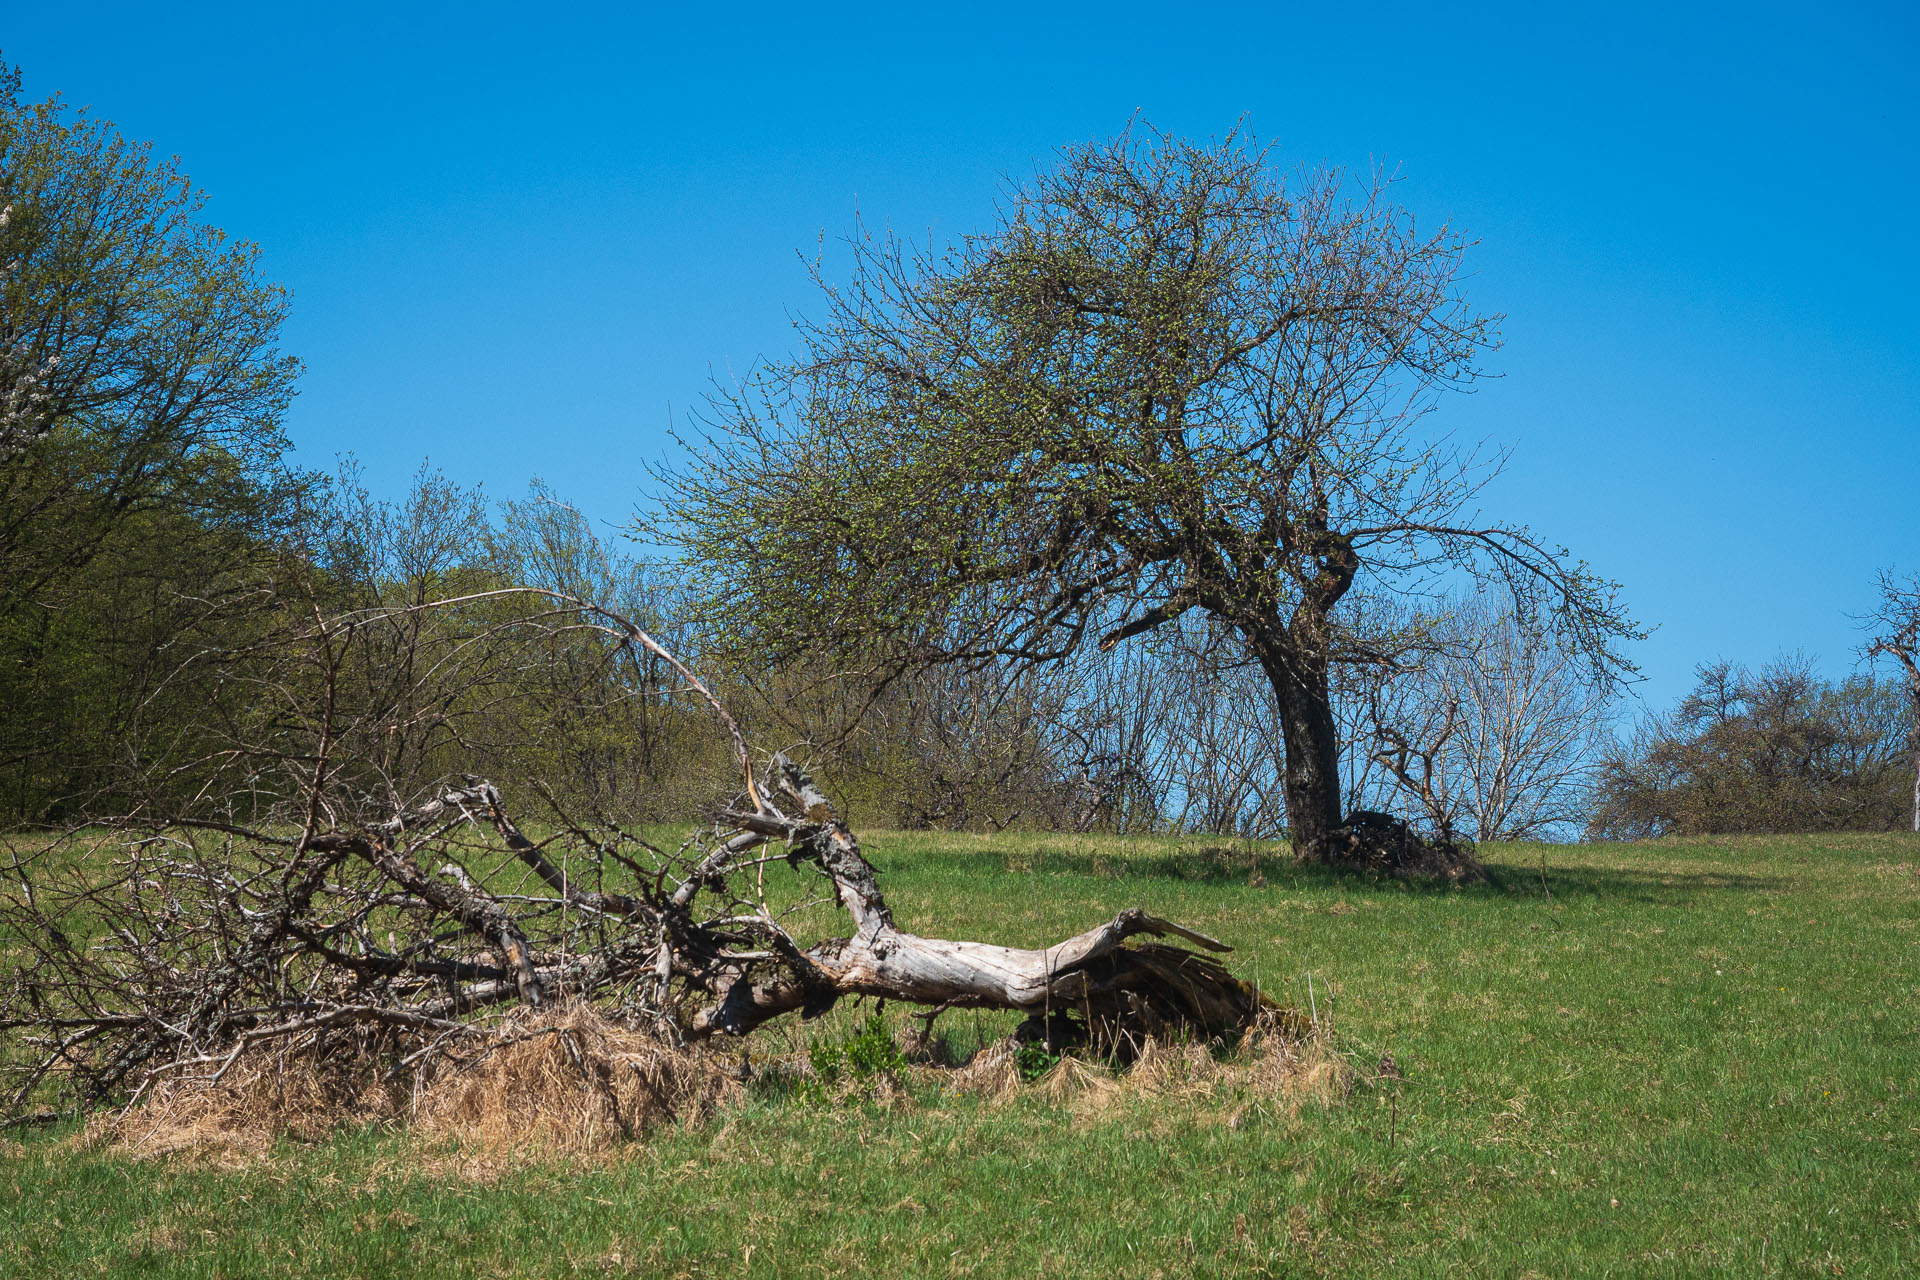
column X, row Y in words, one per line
column 1679, row 1058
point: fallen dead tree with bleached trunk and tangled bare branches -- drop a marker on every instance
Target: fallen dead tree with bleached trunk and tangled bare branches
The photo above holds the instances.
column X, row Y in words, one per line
column 155, row 953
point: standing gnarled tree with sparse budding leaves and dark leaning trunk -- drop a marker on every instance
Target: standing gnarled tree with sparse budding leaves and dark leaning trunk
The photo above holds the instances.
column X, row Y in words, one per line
column 1168, row 381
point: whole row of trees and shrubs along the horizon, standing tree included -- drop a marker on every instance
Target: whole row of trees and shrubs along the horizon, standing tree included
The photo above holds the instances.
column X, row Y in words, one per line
column 1122, row 515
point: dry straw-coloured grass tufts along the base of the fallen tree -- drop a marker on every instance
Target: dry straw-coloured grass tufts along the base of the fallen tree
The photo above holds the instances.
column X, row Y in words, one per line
column 569, row 1085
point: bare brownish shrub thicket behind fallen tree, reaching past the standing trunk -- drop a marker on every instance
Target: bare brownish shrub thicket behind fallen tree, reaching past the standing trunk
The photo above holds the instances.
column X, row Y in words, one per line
column 1176, row 732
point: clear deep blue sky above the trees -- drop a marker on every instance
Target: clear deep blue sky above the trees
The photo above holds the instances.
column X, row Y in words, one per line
column 519, row 239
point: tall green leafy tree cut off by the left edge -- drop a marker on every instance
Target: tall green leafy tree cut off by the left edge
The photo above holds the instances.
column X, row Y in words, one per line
column 141, row 448
